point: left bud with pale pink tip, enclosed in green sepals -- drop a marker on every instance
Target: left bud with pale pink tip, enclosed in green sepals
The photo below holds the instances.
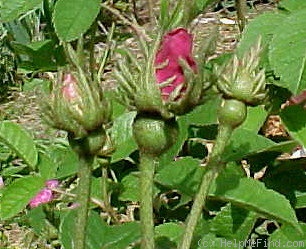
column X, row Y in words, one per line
column 77, row 106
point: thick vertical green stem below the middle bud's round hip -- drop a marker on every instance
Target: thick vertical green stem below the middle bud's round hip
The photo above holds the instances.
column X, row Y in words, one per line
column 147, row 168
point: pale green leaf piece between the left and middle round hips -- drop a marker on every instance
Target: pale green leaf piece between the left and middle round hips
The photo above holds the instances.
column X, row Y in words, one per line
column 122, row 135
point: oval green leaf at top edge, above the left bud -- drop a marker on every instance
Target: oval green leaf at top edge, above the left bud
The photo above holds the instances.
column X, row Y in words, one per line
column 72, row 18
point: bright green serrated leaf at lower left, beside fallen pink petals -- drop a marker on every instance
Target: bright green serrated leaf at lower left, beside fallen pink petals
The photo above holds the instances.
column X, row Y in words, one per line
column 17, row 195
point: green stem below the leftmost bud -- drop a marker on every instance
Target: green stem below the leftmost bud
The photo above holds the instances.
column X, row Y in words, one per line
column 83, row 197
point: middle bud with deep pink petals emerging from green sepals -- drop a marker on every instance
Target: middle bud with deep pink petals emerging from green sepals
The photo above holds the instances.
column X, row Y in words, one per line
column 166, row 80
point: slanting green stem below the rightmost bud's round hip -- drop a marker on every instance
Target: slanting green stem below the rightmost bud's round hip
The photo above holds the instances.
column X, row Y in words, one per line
column 210, row 173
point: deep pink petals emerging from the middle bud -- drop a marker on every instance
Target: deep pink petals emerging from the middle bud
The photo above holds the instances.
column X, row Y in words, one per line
column 175, row 45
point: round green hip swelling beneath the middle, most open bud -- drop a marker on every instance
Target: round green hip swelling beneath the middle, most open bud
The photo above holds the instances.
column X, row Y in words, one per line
column 154, row 136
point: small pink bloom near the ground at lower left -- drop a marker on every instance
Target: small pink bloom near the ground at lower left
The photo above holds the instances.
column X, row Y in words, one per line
column 45, row 195
